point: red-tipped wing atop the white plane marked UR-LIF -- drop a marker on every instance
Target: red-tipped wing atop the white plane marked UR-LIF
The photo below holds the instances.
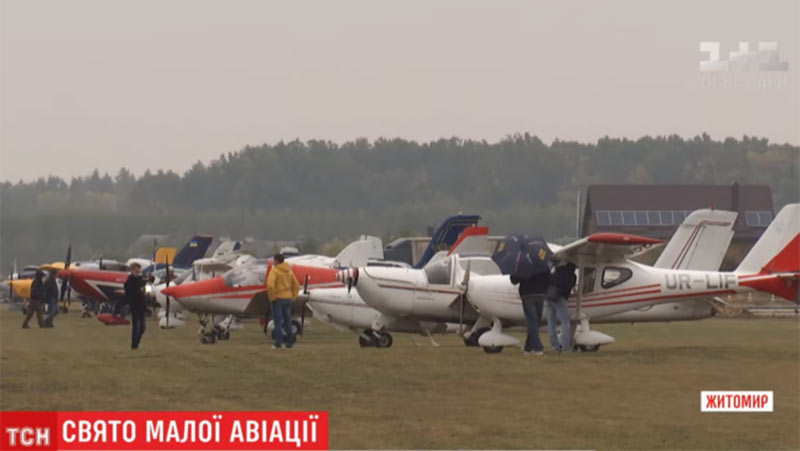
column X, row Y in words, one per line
column 607, row 247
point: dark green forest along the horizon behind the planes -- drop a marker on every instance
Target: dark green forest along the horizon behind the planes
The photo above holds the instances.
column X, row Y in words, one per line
column 317, row 191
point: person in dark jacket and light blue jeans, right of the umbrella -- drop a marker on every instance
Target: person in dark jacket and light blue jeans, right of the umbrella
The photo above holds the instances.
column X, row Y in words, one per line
column 557, row 298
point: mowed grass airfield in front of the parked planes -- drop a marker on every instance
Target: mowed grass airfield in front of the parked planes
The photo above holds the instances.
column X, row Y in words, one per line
column 643, row 392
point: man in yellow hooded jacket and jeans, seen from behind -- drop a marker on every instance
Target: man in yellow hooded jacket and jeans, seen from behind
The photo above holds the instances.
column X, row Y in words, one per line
column 282, row 288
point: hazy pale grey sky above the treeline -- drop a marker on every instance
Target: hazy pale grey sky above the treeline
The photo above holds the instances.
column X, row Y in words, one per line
column 154, row 84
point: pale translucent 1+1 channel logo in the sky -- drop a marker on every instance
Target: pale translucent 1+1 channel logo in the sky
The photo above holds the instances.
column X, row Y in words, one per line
column 765, row 58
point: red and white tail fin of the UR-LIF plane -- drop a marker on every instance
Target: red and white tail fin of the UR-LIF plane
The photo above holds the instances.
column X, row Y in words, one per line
column 777, row 253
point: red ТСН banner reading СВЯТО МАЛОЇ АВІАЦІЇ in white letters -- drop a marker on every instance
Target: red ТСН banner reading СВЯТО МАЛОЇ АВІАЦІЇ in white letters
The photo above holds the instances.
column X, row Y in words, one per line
column 164, row 430
